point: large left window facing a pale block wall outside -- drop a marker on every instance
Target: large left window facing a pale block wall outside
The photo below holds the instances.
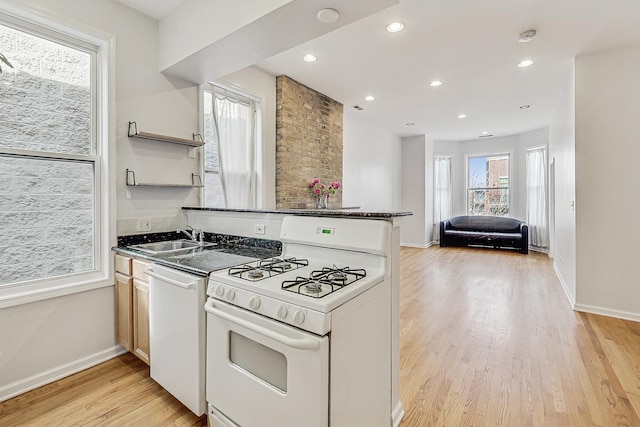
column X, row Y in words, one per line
column 51, row 167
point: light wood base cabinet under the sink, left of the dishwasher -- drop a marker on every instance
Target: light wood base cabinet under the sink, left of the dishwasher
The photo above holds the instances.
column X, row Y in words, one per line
column 132, row 305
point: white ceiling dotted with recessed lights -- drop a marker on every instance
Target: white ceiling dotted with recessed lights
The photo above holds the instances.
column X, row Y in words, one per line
column 471, row 46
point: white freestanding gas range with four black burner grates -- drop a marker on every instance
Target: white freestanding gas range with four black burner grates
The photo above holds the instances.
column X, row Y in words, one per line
column 305, row 338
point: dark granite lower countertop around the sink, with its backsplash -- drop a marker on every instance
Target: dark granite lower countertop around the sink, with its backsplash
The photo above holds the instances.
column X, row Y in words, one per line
column 227, row 251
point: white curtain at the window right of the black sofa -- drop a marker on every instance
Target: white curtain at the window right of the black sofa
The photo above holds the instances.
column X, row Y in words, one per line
column 536, row 181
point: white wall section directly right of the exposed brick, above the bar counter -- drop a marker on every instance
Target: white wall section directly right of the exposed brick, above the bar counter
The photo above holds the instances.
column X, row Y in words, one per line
column 370, row 165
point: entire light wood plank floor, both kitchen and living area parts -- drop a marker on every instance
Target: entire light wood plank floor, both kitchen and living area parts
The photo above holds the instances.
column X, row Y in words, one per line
column 487, row 339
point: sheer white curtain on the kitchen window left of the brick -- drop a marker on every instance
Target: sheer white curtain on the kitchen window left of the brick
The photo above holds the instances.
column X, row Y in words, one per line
column 234, row 122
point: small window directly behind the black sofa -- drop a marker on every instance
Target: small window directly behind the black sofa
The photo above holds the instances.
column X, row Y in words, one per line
column 488, row 185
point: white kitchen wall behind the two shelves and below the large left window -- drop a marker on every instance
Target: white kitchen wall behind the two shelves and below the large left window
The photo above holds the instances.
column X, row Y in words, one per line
column 49, row 339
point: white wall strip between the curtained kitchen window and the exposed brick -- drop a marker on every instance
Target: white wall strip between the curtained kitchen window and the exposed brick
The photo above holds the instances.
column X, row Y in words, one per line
column 260, row 84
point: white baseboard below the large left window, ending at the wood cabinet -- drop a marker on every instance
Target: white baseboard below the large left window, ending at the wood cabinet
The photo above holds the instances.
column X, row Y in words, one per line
column 47, row 377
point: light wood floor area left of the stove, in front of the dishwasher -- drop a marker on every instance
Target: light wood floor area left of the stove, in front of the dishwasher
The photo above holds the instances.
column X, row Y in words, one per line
column 115, row 393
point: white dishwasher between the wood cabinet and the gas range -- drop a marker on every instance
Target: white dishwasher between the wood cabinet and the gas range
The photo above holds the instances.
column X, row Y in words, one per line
column 177, row 334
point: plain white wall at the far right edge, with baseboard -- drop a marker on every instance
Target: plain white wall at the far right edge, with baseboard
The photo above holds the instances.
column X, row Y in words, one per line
column 607, row 176
